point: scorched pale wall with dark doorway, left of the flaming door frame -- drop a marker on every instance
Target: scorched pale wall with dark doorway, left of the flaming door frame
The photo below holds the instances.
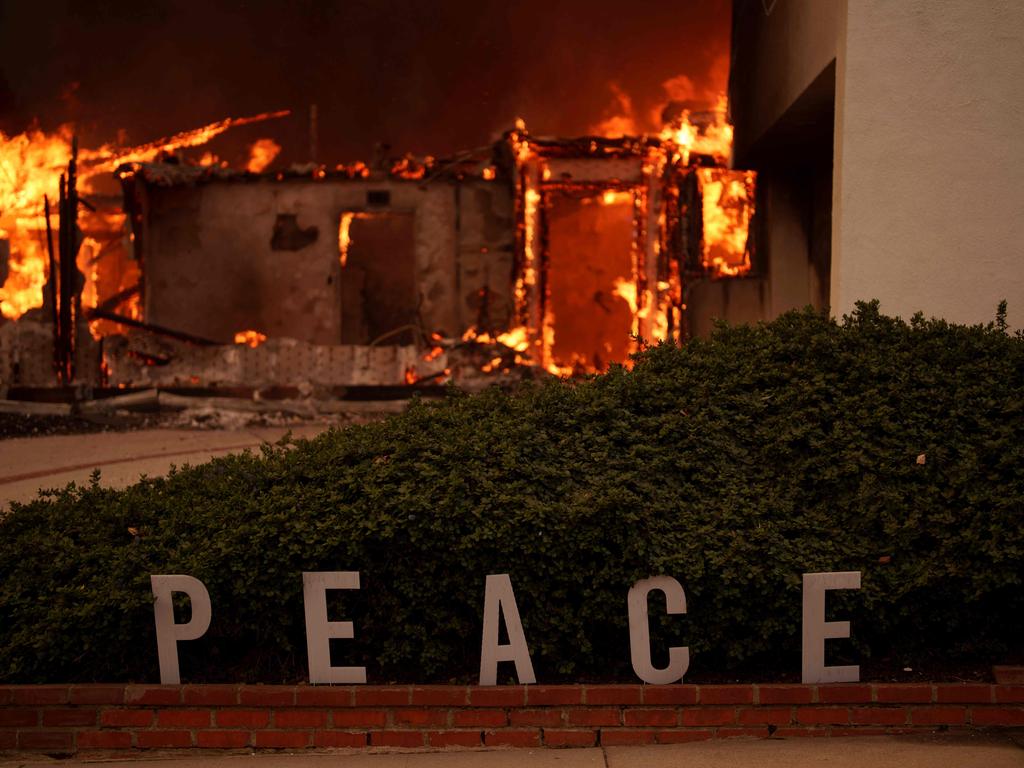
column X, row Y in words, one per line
column 229, row 255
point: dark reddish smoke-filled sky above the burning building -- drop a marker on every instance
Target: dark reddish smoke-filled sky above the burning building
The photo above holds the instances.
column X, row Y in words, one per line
column 424, row 76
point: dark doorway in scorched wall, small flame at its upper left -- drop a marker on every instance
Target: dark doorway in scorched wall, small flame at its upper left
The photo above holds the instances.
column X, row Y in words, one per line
column 378, row 292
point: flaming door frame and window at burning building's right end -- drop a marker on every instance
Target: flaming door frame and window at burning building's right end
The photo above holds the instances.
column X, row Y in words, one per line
column 691, row 221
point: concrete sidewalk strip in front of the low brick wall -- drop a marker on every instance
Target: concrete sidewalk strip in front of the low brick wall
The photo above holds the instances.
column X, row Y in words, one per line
column 971, row 751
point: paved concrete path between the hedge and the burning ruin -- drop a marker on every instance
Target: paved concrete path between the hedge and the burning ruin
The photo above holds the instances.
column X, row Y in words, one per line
column 28, row 464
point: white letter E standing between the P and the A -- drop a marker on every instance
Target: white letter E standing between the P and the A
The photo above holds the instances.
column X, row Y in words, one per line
column 320, row 631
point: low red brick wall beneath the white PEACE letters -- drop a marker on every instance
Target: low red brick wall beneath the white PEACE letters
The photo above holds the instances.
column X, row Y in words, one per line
column 65, row 719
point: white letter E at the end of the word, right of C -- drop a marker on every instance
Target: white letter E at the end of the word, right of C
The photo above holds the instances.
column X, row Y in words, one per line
column 818, row 630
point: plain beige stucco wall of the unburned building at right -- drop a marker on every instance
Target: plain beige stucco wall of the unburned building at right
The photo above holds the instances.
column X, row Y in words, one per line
column 929, row 191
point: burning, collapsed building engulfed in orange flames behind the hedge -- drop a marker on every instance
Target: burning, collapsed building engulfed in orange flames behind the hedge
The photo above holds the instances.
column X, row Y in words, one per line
column 532, row 254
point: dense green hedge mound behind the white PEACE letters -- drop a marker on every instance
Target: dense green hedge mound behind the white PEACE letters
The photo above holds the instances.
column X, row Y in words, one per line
column 735, row 465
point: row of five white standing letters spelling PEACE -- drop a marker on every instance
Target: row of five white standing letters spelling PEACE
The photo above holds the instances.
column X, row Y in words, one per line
column 499, row 607
